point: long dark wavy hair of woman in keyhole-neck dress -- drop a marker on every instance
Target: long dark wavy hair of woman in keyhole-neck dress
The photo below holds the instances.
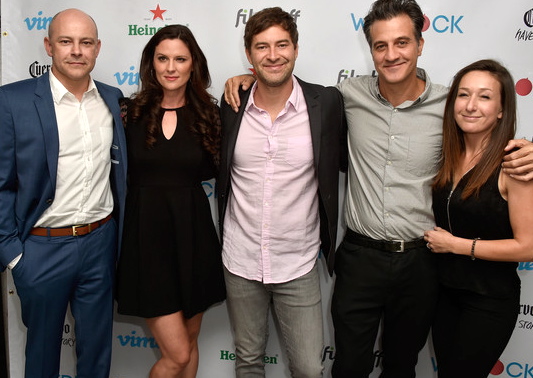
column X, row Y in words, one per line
column 147, row 101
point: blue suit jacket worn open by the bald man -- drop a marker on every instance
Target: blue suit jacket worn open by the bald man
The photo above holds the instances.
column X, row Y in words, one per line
column 29, row 148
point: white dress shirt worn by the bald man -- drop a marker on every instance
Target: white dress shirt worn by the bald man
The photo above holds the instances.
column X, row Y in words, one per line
column 83, row 192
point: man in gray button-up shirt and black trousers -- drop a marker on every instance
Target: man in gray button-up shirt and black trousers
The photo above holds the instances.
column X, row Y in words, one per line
column 383, row 267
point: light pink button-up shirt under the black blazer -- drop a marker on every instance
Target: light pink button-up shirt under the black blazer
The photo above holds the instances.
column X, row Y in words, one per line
column 272, row 224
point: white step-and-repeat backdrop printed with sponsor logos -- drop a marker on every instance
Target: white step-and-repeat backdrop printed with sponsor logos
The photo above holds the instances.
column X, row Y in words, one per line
column 332, row 48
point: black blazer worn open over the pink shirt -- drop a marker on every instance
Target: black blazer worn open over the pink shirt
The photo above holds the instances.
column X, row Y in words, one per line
column 328, row 133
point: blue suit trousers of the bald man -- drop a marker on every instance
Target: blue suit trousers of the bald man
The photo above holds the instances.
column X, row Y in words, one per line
column 55, row 272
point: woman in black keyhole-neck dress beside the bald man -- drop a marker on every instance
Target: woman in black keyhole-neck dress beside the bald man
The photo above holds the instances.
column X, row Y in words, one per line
column 170, row 268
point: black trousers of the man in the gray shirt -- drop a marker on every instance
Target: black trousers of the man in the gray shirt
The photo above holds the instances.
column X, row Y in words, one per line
column 401, row 289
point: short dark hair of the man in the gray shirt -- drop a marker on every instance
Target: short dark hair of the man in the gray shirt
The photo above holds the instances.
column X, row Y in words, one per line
column 386, row 9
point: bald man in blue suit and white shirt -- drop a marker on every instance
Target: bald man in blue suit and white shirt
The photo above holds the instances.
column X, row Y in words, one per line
column 62, row 190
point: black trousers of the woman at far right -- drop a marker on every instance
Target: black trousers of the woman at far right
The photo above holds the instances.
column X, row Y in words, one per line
column 471, row 331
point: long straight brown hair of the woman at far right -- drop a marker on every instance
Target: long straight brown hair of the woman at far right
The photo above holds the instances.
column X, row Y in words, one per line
column 453, row 144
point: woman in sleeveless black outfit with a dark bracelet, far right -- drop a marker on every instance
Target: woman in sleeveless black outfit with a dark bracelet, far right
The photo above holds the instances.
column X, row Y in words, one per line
column 484, row 222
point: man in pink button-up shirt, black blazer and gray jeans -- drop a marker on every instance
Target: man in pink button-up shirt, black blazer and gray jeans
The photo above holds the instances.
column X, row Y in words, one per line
column 278, row 196
